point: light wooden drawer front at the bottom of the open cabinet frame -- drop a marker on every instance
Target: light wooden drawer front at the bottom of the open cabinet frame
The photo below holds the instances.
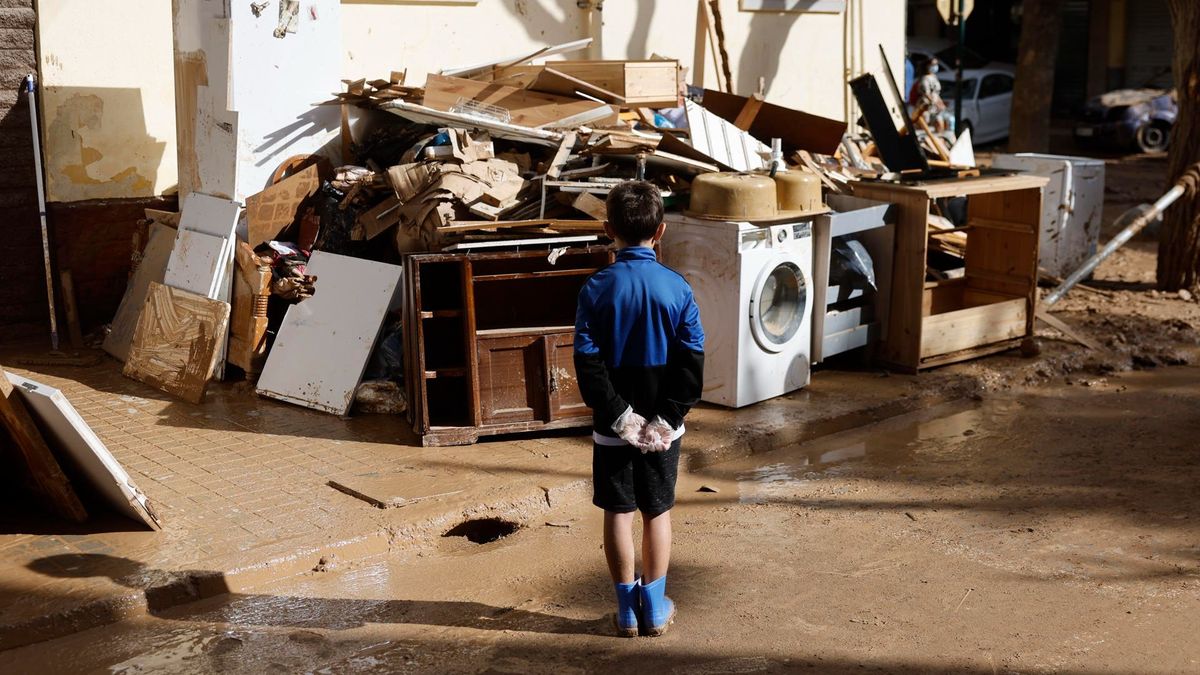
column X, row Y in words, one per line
column 973, row 327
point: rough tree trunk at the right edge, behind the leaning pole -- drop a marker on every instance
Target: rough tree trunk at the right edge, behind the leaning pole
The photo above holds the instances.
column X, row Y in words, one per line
column 1179, row 243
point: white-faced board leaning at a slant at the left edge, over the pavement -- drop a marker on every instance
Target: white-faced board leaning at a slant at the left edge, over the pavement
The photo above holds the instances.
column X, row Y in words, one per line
column 75, row 441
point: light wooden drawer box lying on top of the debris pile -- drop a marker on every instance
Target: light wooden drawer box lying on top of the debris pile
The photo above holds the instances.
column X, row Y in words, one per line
column 635, row 85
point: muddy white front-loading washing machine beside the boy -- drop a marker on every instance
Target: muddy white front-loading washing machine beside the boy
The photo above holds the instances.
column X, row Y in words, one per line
column 754, row 286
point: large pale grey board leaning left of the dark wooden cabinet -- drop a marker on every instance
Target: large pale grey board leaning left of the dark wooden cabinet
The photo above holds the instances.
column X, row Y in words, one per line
column 326, row 342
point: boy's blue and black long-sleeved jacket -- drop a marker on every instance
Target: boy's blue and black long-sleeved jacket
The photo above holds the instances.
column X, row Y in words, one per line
column 639, row 342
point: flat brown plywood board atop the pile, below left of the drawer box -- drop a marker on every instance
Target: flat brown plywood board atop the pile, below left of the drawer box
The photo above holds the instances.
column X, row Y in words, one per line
column 527, row 109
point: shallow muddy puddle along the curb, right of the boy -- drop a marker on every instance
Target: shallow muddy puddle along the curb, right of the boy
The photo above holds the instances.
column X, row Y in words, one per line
column 890, row 444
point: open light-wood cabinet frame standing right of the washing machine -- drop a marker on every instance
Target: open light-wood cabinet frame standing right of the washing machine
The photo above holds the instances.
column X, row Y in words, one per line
column 991, row 309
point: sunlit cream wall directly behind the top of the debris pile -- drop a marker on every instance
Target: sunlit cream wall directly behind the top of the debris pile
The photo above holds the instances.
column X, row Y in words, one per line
column 805, row 57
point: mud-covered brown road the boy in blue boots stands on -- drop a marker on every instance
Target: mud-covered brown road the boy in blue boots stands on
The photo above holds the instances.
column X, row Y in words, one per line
column 1037, row 531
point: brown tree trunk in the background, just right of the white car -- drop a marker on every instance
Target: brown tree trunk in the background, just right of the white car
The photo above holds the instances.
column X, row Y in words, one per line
column 1034, row 89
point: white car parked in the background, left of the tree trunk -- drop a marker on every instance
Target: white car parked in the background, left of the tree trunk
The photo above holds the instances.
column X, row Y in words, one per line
column 987, row 101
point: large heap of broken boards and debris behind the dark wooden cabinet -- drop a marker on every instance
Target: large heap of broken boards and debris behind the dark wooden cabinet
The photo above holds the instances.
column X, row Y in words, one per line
column 494, row 156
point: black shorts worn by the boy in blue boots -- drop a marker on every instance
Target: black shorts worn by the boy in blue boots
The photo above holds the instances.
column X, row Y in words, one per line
column 625, row 480
